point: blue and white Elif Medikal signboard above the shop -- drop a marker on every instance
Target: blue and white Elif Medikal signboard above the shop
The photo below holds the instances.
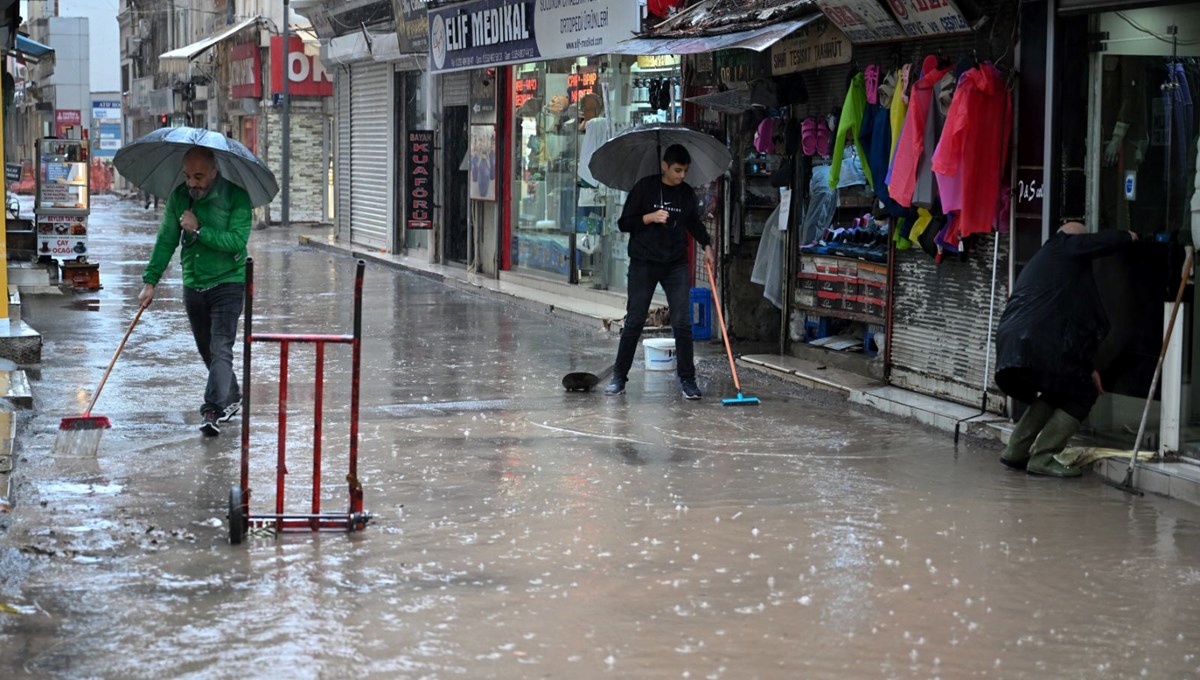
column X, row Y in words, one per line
column 484, row 33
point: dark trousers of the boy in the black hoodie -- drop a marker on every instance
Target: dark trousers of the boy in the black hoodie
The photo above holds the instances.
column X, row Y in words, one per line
column 644, row 279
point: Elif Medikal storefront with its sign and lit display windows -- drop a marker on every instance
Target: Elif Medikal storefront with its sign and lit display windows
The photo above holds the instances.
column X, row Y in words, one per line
column 527, row 95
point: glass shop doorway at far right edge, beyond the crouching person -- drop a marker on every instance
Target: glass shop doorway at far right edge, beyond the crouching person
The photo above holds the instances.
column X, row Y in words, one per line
column 1143, row 125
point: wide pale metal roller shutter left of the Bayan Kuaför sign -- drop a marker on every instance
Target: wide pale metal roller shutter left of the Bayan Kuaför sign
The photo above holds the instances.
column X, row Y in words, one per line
column 370, row 152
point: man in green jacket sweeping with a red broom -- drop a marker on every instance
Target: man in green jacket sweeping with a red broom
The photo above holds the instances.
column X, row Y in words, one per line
column 209, row 218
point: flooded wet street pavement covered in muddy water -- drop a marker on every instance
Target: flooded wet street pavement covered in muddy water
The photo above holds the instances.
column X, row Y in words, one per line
column 527, row 533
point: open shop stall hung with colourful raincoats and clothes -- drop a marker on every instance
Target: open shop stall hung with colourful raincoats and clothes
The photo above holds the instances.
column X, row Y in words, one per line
column 844, row 263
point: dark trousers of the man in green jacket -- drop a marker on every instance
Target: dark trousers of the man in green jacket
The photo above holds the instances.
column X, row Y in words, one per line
column 214, row 315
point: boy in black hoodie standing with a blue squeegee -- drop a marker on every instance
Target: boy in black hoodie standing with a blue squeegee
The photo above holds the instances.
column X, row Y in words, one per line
column 659, row 214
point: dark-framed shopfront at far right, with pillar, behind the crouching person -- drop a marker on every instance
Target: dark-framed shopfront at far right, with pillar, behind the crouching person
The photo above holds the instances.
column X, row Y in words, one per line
column 1129, row 159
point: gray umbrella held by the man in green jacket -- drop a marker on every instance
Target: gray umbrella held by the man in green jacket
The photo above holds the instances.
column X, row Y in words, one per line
column 155, row 163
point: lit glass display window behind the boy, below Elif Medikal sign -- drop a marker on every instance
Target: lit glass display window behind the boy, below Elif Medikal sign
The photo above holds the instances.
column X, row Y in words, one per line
column 565, row 222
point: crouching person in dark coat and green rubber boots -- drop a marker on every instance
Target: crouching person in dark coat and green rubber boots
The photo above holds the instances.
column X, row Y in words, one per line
column 1047, row 342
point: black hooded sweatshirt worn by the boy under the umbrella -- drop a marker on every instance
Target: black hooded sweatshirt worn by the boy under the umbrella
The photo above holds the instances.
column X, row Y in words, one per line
column 662, row 243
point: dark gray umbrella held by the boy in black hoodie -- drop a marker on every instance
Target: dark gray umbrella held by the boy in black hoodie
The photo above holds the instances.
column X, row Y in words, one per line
column 635, row 154
